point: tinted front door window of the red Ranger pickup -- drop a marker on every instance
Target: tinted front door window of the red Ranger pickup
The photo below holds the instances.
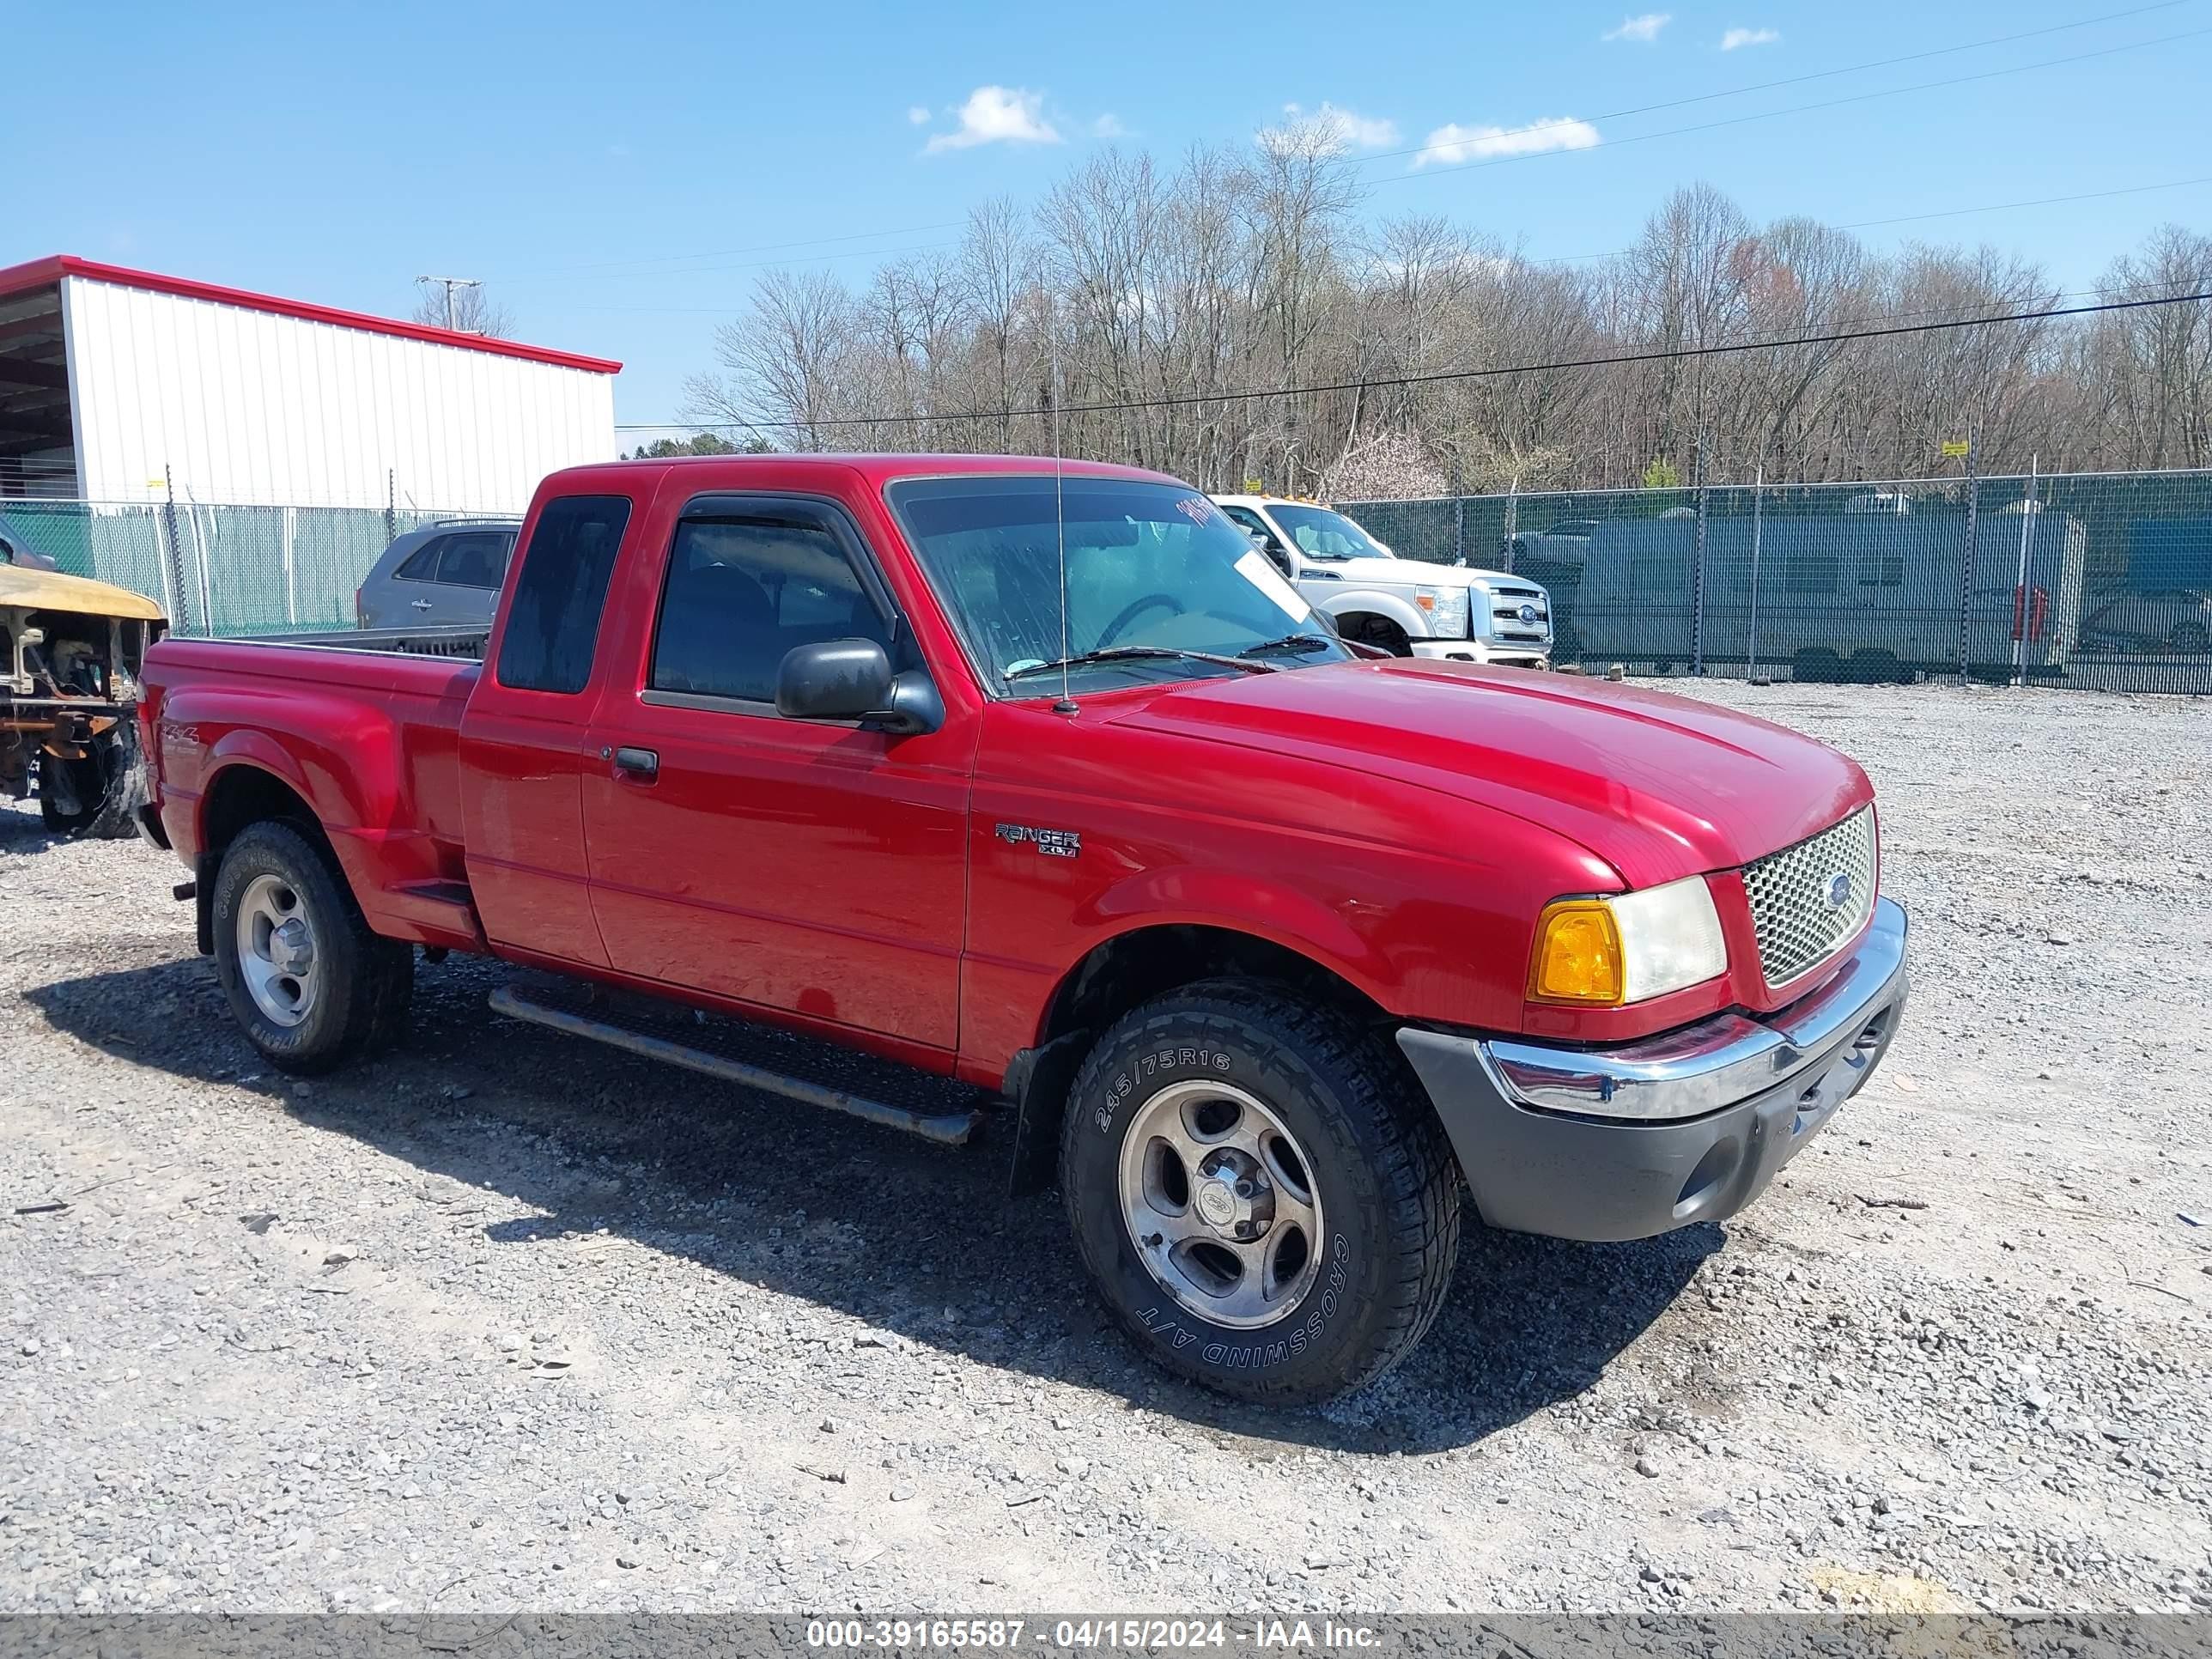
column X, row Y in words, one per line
column 744, row 592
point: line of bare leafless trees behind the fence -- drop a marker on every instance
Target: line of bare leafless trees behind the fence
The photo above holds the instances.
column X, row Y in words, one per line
column 1185, row 309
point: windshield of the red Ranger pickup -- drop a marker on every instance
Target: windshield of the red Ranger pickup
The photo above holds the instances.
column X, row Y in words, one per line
column 1147, row 565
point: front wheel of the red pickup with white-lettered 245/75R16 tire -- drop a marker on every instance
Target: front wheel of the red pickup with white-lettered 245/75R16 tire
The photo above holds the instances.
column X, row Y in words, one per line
column 1370, row 1154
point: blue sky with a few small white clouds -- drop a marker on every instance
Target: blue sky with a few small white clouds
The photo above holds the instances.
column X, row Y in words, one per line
column 618, row 176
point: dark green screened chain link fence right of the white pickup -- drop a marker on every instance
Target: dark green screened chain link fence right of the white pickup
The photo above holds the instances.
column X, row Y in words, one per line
column 2098, row 581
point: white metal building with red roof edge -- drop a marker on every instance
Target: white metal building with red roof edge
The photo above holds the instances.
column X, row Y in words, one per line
column 125, row 386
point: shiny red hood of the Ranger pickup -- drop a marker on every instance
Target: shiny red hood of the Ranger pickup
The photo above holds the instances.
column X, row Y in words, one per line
column 1658, row 786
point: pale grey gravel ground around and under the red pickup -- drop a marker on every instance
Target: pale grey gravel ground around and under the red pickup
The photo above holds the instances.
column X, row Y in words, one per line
column 508, row 1319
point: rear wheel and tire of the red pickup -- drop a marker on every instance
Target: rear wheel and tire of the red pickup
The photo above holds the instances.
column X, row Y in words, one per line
column 348, row 988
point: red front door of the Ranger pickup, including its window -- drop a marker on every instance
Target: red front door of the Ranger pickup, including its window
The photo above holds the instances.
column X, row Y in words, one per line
column 808, row 868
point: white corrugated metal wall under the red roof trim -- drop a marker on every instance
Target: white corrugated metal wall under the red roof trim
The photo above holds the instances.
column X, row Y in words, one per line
column 244, row 406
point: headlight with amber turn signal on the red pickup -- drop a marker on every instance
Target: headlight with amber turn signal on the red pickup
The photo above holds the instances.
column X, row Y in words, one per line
column 1627, row 948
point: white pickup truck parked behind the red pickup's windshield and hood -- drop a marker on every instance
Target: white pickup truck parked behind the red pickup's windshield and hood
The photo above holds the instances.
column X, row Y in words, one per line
column 1408, row 607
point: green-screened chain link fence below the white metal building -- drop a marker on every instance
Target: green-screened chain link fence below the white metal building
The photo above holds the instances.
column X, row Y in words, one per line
column 220, row 570
